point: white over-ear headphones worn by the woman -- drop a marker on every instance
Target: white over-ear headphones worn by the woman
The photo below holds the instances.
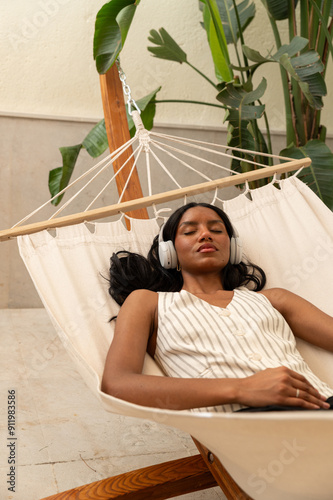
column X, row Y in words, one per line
column 168, row 255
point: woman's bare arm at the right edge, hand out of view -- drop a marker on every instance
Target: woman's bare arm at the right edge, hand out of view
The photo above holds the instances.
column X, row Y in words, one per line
column 305, row 320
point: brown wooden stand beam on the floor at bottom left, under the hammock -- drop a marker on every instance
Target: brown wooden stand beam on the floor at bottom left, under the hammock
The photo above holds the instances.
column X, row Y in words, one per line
column 157, row 482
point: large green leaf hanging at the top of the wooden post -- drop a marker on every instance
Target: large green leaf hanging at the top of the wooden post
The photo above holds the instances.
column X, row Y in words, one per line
column 112, row 24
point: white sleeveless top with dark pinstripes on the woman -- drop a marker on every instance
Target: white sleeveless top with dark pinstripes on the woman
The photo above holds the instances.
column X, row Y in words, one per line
column 196, row 339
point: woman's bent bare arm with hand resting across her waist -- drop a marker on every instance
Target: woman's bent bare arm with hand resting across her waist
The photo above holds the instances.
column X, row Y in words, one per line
column 123, row 376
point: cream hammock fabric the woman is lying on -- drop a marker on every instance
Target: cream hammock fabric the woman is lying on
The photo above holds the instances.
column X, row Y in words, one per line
column 286, row 230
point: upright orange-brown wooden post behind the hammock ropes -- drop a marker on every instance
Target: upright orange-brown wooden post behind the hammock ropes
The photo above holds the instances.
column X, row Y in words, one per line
column 118, row 134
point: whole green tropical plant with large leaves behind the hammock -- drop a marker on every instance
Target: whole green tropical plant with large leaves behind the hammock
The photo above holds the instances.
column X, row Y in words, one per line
column 302, row 63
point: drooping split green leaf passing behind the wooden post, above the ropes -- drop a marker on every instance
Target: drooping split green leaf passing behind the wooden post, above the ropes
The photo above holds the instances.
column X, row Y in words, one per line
column 95, row 143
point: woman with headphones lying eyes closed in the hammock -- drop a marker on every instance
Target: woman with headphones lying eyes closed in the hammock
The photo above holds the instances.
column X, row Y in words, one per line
column 222, row 346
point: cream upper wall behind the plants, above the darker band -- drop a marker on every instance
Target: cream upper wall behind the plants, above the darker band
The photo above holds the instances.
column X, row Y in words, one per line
column 47, row 66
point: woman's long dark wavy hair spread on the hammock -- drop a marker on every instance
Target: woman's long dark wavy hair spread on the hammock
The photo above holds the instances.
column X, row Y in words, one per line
column 130, row 271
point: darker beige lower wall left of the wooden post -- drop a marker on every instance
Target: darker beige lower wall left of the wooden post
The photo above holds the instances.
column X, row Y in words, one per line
column 29, row 149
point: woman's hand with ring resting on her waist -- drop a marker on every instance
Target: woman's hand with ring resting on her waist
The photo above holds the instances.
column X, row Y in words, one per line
column 279, row 386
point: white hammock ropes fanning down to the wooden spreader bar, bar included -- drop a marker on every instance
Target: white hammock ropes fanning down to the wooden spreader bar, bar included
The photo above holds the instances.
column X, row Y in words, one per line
column 150, row 143
